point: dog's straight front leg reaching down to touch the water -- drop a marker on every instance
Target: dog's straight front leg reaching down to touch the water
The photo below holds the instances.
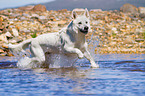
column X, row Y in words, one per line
column 89, row 57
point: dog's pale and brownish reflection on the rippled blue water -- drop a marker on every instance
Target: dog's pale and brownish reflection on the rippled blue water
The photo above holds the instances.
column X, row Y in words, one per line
column 71, row 77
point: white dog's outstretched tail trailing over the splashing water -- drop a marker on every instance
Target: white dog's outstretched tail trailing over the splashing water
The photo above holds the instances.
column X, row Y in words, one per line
column 19, row 47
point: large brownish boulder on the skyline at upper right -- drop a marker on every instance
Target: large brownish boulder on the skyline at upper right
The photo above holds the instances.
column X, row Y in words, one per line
column 129, row 8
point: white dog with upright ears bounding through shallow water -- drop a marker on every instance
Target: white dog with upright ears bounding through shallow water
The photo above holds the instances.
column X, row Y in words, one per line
column 71, row 40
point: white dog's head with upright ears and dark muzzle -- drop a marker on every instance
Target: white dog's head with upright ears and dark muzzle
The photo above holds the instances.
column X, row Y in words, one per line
column 81, row 22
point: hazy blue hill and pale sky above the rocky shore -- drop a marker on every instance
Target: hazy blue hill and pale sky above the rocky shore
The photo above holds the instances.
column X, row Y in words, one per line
column 71, row 4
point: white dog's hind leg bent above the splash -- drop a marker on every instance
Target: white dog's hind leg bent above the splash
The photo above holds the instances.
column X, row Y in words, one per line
column 37, row 53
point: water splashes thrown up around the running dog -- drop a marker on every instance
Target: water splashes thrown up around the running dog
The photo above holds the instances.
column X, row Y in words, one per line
column 54, row 60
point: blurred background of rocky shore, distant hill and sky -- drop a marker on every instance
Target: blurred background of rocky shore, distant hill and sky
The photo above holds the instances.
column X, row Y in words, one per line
column 117, row 26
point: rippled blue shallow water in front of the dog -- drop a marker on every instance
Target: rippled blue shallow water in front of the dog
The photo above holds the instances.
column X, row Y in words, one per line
column 118, row 75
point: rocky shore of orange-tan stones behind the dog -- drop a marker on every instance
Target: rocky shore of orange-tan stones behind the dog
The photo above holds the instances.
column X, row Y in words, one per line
column 116, row 31
